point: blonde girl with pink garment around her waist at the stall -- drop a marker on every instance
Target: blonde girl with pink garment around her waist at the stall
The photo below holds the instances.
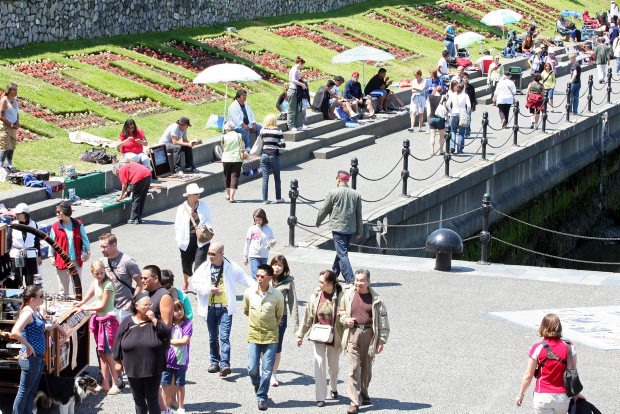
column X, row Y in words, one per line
column 103, row 324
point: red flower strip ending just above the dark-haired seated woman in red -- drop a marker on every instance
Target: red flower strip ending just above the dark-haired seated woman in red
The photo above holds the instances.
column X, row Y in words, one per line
column 50, row 72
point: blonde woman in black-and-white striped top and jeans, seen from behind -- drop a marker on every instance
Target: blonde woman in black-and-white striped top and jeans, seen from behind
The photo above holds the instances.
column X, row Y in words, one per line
column 273, row 142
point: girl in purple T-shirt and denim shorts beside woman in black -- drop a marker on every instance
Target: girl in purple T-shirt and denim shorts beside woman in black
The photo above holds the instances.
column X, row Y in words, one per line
column 178, row 359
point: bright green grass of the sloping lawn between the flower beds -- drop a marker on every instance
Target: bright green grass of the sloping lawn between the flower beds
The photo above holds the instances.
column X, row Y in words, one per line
column 55, row 148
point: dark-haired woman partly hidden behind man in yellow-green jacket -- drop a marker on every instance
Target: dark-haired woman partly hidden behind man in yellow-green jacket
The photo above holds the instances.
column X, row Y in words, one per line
column 283, row 281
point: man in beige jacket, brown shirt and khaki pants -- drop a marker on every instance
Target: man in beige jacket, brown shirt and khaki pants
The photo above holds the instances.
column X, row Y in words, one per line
column 367, row 328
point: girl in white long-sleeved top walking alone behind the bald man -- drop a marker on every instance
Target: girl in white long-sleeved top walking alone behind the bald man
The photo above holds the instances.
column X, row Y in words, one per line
column 258, row 241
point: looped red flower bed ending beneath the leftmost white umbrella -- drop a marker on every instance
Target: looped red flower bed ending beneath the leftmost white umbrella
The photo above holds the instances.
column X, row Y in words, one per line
column 191, row 92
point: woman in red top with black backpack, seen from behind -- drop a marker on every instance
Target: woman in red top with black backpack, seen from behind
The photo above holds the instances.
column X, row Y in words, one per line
column 549, row 394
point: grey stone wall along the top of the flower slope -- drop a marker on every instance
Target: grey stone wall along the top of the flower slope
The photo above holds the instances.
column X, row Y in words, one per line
column 46, row 20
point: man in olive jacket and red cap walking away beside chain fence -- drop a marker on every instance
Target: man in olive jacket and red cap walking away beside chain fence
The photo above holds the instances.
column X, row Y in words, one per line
column 344, row 207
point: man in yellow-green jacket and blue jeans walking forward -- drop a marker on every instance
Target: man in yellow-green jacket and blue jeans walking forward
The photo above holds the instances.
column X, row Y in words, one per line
column 264, row 306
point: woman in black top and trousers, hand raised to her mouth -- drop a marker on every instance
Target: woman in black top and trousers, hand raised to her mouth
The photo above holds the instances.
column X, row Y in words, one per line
column 139, row 349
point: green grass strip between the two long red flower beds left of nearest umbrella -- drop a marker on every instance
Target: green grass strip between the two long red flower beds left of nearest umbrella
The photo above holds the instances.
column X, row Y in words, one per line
column 122, row 88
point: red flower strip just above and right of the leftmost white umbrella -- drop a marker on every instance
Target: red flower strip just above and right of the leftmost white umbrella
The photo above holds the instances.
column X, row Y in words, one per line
column 269, row 60
